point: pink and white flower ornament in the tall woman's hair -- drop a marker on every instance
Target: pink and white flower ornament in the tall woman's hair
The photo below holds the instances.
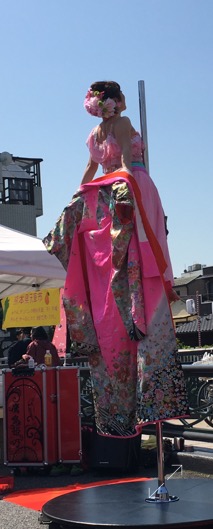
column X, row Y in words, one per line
column 96, row 106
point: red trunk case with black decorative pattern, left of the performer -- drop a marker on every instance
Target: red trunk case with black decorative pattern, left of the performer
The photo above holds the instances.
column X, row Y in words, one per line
column 42, row 418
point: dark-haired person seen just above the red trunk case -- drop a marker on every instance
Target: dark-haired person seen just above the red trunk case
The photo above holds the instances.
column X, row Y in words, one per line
column 38, row 347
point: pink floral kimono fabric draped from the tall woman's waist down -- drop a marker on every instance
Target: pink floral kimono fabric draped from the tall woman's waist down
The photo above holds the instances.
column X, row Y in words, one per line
column 116, row 302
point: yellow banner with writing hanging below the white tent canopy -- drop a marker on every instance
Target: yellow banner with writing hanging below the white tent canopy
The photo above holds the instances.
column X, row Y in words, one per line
column 32, row 309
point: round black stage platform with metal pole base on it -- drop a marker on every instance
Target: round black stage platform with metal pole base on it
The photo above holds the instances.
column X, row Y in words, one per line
column 124, row 505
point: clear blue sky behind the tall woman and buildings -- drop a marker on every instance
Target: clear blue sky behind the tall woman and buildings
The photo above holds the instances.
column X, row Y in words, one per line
column 52, row 50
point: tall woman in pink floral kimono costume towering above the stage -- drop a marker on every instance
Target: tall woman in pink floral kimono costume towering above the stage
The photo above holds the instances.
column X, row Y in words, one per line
column 112, row 242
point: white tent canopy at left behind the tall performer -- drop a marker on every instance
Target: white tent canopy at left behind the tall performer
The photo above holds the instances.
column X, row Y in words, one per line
column 25, row 264
